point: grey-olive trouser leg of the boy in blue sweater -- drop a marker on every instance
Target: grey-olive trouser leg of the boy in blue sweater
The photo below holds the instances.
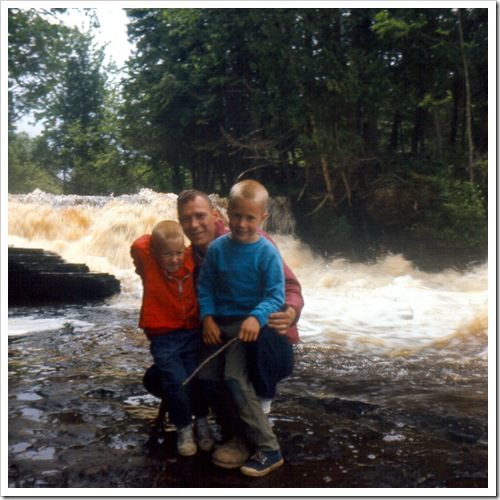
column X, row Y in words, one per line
column 250, row 410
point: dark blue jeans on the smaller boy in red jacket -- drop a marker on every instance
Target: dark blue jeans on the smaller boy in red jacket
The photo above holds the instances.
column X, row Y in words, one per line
column 177, row 354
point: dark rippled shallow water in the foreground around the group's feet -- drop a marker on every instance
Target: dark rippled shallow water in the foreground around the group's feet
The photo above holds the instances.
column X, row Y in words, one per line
column 78, row 414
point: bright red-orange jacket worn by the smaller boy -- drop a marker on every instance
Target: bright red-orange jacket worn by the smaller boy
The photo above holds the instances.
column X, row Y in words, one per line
column 169, row 301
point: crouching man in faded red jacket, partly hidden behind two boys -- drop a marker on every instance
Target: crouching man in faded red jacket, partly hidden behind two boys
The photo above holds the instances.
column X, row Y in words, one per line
column 201, row 224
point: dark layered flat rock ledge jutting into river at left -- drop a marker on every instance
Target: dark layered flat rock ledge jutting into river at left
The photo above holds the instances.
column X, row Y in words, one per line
column 39, row 277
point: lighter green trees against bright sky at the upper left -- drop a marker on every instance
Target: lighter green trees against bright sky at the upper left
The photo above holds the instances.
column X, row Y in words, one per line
column 80, row 145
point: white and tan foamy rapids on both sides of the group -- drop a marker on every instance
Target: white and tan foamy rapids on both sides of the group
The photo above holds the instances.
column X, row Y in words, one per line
column 388, row 306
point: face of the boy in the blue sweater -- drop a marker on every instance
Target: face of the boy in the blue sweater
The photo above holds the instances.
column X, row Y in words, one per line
column 245, row 217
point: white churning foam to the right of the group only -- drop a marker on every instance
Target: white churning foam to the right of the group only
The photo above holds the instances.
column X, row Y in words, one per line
column 389, row 305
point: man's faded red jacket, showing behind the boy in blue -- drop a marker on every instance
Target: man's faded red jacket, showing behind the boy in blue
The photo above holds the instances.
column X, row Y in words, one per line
column 293, row 290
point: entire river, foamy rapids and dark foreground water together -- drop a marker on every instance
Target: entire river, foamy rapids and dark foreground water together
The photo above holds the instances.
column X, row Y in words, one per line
column 390, row 387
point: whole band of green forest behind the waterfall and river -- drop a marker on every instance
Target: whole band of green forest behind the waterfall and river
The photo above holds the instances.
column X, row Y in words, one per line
column 372, row 122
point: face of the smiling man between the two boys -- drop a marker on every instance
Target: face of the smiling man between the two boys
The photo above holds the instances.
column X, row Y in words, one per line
column 198, row 222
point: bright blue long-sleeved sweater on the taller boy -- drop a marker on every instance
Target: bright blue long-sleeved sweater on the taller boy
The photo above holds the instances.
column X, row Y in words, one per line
column 241, row 279
